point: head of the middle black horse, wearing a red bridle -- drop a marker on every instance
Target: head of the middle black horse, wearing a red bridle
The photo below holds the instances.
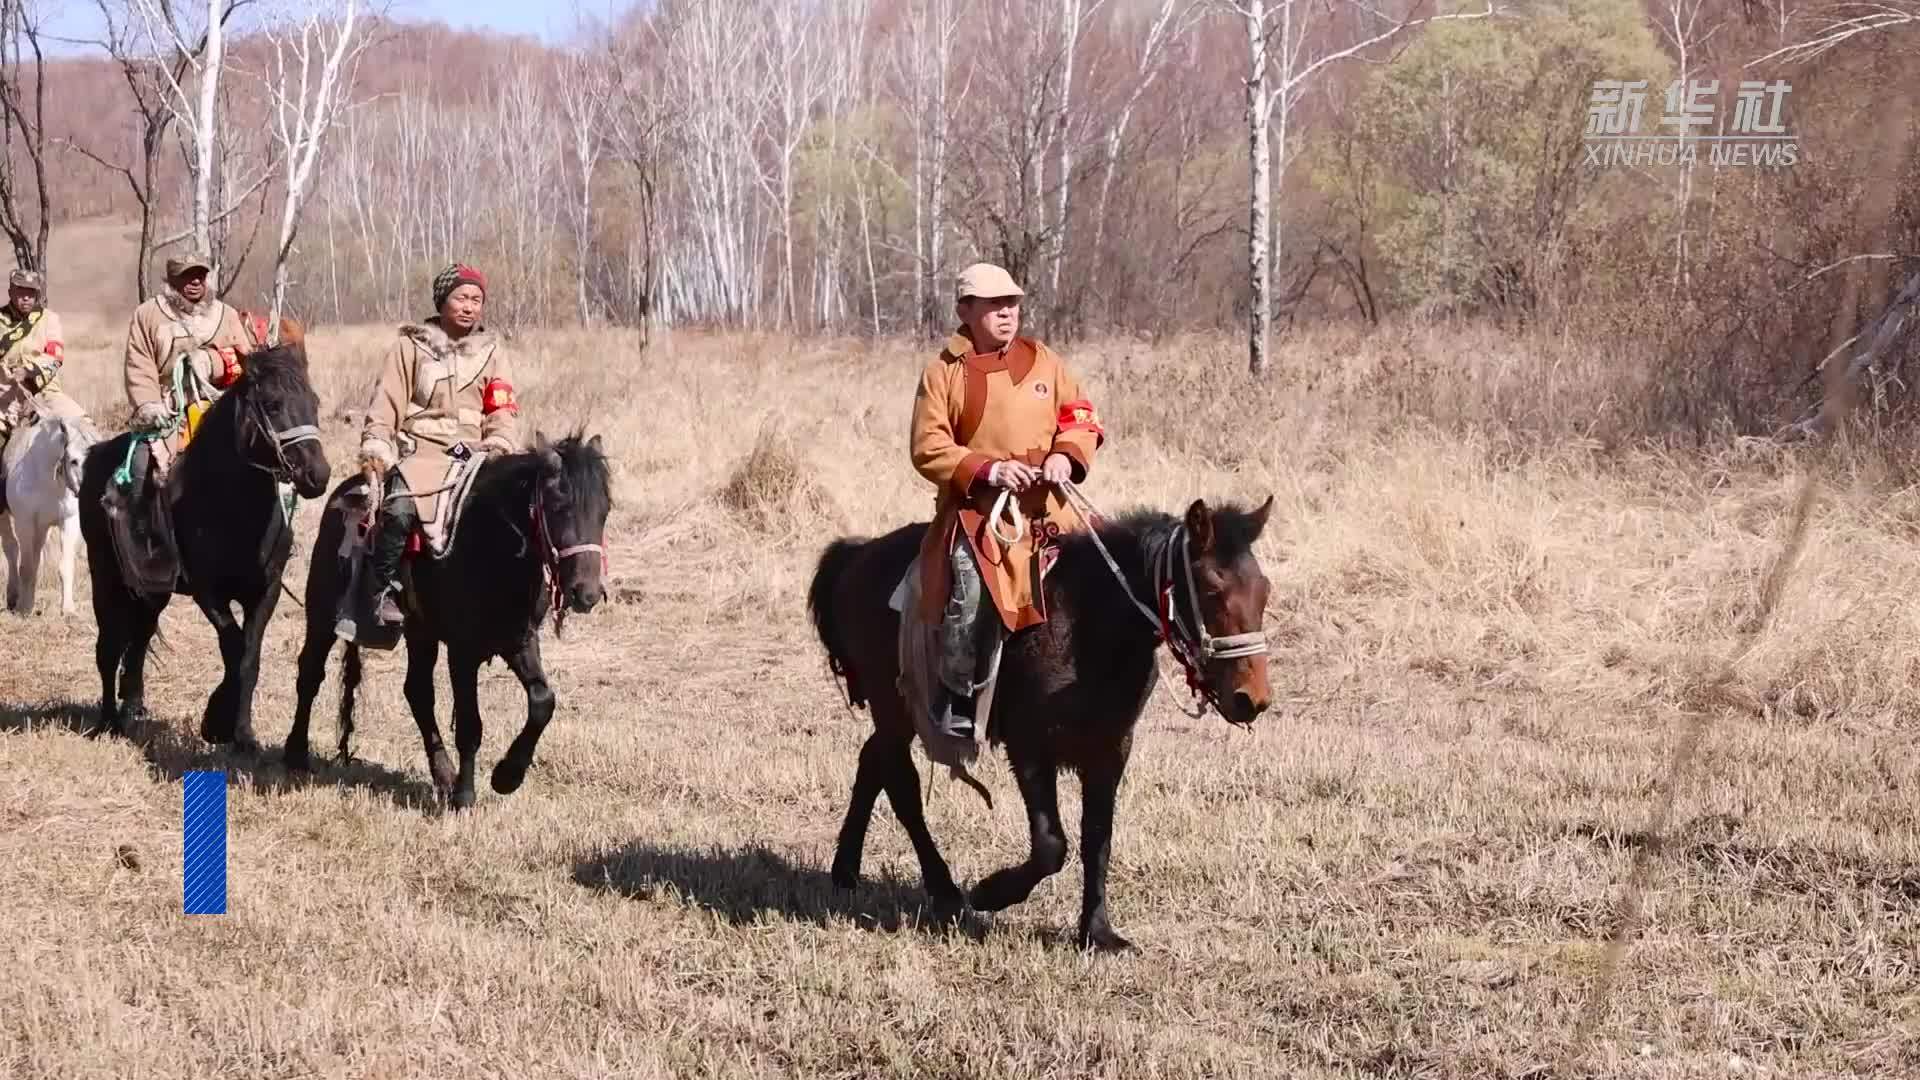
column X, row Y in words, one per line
column 571, row 504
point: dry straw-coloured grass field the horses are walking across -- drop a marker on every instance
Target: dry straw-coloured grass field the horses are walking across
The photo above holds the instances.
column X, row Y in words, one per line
column 1485, row 654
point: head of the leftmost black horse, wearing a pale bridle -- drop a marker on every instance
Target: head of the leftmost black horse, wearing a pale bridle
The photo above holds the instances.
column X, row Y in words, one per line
column 277, row 420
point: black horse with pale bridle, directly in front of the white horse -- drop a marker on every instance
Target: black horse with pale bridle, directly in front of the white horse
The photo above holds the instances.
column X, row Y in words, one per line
column 231, row 537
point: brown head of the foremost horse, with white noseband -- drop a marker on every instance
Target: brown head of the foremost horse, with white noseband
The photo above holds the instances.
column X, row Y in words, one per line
column 1218, row 606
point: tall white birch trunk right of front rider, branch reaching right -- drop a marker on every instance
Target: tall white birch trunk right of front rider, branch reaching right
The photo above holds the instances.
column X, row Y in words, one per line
column 1276, row 80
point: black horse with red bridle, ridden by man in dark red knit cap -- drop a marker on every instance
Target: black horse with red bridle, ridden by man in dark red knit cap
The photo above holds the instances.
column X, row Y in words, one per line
column 531, row 539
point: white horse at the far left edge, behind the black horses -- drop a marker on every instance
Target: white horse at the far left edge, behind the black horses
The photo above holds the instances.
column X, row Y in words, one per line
column 43, row 491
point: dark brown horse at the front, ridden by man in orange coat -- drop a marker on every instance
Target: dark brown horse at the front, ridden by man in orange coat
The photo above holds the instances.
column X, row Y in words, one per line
column 1070, row 691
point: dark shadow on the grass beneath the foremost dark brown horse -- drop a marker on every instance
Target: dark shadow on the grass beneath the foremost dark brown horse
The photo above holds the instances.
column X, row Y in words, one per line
column 746, row 885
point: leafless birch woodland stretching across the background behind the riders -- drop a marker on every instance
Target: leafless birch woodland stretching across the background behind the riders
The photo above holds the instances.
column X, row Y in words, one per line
column 1143, row 166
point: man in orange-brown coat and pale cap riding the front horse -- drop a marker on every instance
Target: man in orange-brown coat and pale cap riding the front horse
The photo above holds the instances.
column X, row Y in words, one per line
column 999, row 424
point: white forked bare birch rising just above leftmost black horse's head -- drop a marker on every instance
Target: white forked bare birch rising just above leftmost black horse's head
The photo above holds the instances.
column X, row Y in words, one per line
column 314, row 64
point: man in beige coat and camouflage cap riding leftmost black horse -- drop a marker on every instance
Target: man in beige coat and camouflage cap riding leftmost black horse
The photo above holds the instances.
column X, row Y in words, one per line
column 185, row 349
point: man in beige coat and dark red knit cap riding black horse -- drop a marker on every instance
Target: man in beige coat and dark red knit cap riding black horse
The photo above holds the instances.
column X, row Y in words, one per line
column 446, row 389
